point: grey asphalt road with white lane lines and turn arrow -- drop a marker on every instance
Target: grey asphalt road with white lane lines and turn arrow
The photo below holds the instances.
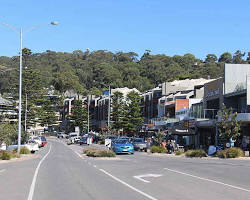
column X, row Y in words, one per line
column 60, row 172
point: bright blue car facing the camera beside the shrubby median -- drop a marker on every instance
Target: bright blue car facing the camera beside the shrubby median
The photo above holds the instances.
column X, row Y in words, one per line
column 122, row 146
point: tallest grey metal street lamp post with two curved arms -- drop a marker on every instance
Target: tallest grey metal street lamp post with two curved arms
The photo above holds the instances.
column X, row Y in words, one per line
column 20, row 78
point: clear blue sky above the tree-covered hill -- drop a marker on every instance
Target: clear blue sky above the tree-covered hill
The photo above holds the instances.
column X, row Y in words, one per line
column 171, row 27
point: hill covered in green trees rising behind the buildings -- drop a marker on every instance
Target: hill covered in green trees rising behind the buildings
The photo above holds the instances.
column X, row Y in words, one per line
column 87, row 71
